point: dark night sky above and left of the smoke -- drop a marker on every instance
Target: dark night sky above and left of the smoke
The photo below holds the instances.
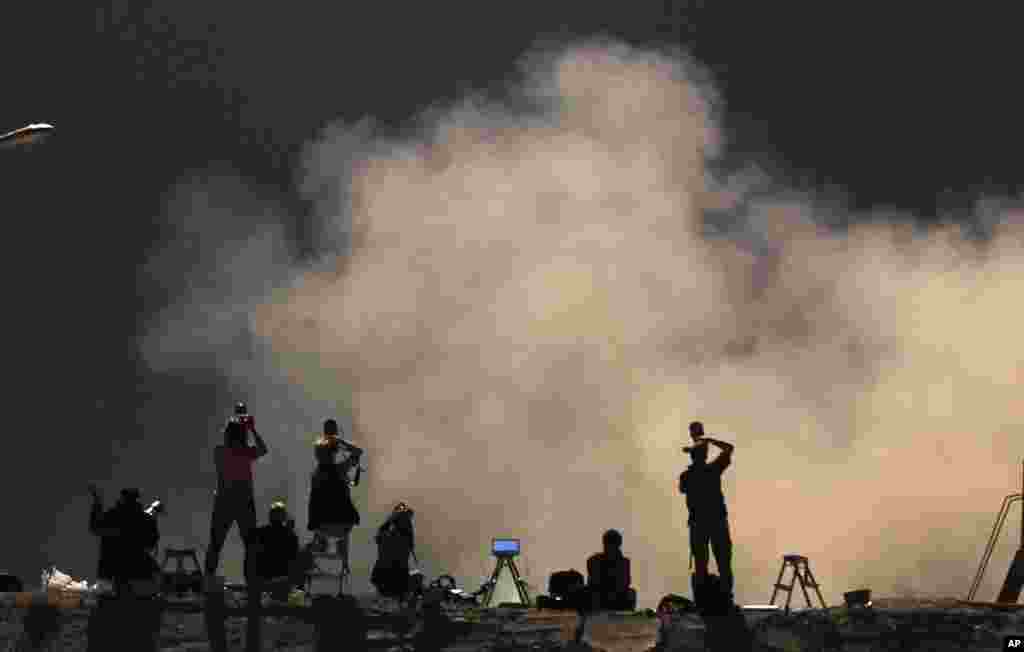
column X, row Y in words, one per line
column 893, row 110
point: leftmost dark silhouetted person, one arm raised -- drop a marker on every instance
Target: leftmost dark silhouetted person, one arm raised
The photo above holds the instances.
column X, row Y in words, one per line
column 129, row 538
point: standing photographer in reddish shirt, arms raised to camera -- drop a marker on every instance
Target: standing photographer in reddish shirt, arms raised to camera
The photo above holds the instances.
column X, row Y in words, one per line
column 235, row 501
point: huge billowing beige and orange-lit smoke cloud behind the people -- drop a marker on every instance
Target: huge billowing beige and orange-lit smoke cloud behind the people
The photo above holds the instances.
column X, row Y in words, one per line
column 523, row 303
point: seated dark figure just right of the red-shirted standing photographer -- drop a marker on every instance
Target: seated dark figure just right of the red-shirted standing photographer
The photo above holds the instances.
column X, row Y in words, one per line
column 274, row 552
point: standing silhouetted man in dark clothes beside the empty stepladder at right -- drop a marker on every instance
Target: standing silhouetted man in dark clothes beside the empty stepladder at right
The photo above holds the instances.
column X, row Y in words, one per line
column 702, row 484
